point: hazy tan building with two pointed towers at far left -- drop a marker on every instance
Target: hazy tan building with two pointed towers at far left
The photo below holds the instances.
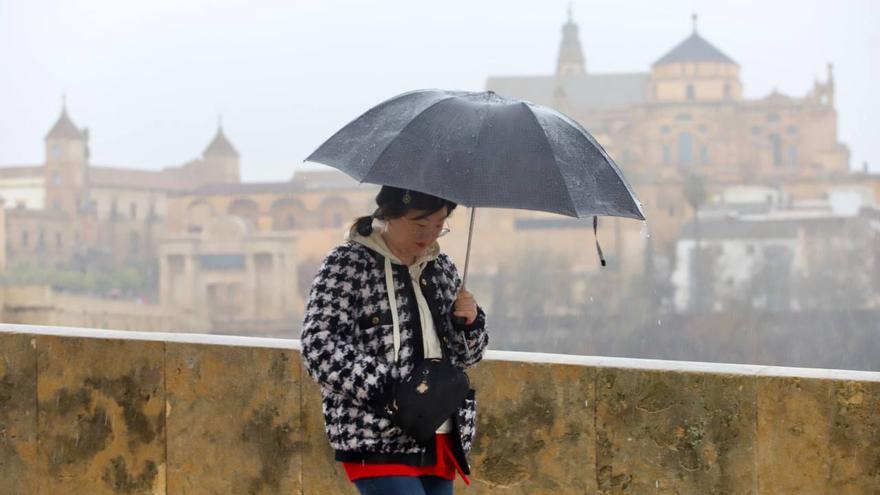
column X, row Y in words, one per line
column 67, row 207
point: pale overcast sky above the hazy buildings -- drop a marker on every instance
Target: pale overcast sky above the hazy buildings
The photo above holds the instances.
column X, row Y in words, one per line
column 150, row 77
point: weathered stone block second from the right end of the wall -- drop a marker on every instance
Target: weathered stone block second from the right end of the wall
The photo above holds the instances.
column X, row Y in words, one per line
column 661, row 431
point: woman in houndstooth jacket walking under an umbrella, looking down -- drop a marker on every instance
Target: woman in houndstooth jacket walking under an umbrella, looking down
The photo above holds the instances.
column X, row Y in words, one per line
column 356, row 346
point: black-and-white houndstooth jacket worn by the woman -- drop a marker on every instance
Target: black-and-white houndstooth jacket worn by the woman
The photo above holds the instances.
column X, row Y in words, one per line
column 347, row 346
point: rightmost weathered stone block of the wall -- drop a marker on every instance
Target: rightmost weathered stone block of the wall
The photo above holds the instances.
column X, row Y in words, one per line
column 818, row 436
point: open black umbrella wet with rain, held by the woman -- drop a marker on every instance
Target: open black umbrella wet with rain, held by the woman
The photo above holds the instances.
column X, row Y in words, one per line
column 482, row 150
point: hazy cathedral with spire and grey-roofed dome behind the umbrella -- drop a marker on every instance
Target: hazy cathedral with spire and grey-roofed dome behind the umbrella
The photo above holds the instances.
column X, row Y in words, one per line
column 687, row 115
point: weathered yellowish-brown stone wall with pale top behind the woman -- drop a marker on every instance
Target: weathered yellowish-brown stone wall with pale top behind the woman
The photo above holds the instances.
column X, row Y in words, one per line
column 102, row 412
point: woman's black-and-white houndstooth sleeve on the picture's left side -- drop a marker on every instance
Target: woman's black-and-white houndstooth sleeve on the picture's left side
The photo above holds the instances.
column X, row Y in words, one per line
column 328, row 351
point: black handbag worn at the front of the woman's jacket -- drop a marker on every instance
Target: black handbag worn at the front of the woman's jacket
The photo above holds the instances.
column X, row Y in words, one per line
column 427, row 397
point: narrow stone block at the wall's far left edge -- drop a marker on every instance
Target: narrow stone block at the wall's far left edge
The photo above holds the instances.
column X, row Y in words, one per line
column 18, row 414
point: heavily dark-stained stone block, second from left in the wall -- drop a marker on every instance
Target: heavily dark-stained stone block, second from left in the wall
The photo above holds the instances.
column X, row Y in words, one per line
column 101, row 426
